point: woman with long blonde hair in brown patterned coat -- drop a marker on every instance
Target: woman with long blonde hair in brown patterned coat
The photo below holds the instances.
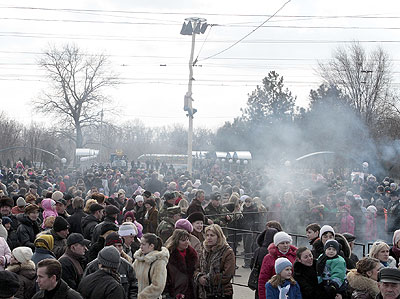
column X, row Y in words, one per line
column 216, row 265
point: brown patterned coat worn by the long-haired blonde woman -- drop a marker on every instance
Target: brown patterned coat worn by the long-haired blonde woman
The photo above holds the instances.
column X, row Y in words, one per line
column 217, row 264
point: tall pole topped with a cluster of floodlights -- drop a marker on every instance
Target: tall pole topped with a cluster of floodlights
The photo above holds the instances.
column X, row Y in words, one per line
column 191, row 26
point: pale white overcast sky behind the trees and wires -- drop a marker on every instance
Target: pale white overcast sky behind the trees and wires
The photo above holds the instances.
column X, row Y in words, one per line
column 144, row 45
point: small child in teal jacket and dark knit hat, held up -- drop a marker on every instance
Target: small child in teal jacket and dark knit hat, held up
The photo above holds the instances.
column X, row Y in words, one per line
column 331, row 269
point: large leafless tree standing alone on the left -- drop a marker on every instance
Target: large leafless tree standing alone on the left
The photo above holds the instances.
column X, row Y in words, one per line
column 75, row 97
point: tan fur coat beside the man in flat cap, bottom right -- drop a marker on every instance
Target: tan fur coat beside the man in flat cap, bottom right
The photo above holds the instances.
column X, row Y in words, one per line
column 363, row 287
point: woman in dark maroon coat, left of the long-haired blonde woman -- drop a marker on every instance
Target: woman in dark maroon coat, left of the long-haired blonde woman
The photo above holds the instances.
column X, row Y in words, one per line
column 181, row 265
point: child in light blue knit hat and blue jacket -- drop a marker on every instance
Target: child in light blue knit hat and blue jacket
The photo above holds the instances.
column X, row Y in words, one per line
column 282, row 284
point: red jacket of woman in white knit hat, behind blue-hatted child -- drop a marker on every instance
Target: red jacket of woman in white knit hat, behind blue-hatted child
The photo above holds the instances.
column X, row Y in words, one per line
column 268, row 266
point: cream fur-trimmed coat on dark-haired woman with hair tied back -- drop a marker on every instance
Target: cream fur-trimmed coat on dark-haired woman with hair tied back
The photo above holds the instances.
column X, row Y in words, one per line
column 155, row 264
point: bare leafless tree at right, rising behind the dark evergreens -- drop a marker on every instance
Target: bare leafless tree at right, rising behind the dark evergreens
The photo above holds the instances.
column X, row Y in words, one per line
column 364, row 77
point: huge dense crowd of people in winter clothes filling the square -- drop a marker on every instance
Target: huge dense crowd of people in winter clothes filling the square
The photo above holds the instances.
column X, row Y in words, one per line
column 109, row 233
